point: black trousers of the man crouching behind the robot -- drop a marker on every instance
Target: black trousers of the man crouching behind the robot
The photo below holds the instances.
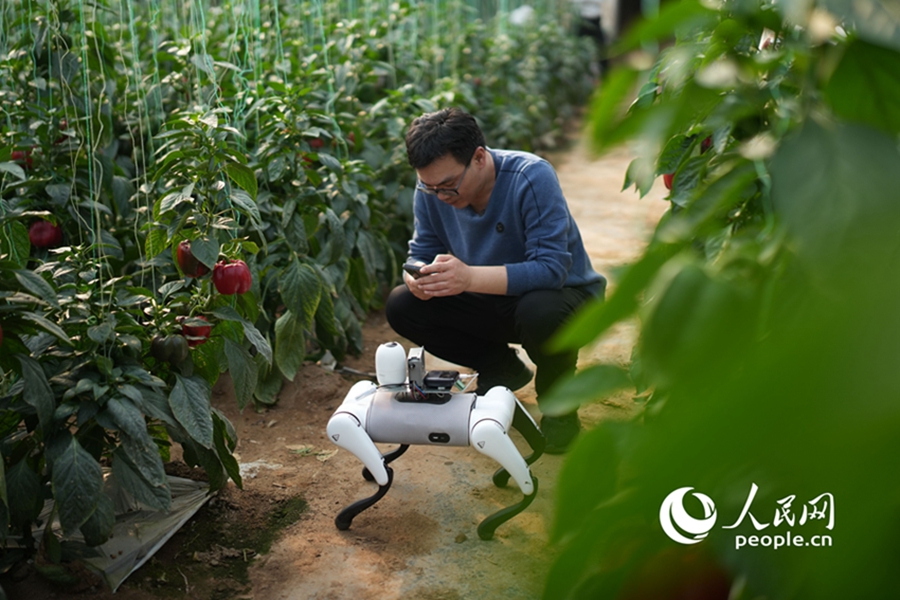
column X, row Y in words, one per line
column 475, row 330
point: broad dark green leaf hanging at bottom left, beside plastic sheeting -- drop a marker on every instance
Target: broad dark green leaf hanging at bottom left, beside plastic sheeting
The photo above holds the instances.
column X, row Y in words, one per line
column 77, row 481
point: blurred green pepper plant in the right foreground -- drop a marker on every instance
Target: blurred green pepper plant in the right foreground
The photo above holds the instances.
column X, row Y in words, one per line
column 766, row 307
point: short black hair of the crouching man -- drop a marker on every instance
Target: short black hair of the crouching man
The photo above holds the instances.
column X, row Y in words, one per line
column 448, row 131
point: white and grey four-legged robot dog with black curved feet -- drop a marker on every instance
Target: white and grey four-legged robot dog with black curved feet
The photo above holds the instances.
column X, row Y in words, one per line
column 412, row 406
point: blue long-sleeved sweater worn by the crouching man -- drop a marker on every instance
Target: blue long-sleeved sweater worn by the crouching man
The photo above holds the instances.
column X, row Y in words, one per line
column 527, row 227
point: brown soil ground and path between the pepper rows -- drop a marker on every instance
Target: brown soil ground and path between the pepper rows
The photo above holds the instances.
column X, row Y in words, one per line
column 276, row 538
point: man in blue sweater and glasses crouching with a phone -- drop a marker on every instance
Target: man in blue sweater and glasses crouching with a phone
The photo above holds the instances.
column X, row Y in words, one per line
column 502, row 261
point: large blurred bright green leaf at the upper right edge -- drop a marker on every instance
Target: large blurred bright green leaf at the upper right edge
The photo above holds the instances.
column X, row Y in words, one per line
column 865, row 86
